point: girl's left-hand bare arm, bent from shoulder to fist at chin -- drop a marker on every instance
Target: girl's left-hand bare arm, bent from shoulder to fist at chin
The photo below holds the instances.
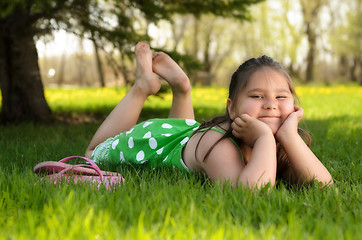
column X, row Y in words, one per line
column 224, row 163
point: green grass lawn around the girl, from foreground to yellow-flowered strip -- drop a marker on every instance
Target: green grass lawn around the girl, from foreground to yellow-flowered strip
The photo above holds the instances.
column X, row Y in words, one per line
column 167, row 204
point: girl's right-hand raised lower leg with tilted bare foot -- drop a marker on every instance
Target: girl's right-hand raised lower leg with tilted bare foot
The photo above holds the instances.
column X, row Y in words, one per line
column 167, row 68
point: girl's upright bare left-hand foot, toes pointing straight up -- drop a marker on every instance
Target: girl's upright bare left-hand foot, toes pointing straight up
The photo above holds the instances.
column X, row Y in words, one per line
column 146, row 79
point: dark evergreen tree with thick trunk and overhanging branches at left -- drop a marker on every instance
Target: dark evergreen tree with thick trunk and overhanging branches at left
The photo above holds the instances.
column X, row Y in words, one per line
column 111, row 25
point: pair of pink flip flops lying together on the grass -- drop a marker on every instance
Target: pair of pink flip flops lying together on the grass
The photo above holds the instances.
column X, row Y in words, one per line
column 109, row 181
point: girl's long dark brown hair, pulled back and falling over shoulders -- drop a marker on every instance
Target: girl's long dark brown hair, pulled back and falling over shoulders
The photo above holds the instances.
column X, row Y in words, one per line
column 238, row 82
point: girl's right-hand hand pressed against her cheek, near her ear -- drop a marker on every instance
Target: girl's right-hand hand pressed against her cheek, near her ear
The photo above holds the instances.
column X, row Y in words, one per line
column 290, row 125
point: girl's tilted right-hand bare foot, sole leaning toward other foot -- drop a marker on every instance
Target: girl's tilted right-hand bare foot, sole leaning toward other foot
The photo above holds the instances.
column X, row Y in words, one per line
column 167, row 68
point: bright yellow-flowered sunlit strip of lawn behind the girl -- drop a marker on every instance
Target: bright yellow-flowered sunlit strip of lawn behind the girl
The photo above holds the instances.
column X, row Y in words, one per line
column 319, row 102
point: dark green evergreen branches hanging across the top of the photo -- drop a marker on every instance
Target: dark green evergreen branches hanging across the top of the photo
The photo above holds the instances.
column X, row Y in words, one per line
column 110, row 22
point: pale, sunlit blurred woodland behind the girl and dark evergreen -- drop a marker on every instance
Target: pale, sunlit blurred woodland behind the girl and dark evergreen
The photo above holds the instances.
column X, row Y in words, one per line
column 317, row 41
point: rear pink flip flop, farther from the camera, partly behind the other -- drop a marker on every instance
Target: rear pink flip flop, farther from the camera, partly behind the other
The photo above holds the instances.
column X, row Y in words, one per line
column 55, row 167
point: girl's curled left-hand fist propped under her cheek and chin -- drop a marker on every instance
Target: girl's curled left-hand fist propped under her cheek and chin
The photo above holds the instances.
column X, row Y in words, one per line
column 249, row 129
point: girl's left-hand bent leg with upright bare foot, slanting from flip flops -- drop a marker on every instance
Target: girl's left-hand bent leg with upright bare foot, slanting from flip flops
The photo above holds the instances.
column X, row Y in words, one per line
column 125, row 115
